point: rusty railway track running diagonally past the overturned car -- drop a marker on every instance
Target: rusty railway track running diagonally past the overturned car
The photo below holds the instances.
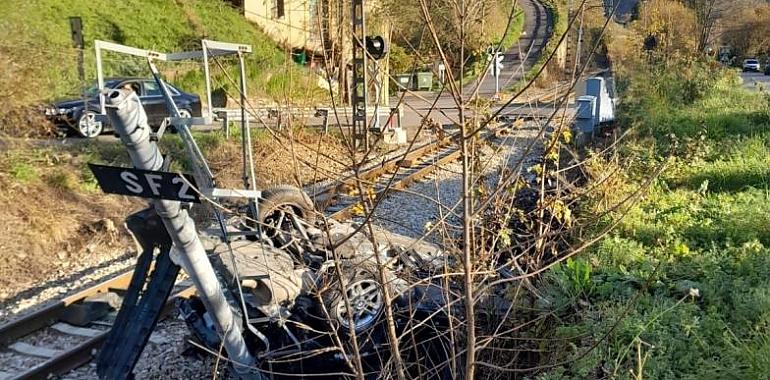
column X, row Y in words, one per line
column 66, row 335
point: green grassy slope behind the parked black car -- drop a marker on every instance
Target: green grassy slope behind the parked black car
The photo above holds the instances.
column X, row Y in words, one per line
column 39, row 31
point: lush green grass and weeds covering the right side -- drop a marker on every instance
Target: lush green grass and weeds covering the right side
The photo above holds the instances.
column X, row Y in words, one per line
column 704, row 313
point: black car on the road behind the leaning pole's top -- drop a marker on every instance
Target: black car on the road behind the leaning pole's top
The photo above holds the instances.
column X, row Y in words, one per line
column 82, row 115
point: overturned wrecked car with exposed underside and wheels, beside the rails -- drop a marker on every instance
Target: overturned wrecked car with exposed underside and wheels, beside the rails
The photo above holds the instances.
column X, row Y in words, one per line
column 304, row 303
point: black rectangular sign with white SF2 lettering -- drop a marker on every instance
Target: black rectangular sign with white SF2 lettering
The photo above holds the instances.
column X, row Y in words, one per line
column 145, row 183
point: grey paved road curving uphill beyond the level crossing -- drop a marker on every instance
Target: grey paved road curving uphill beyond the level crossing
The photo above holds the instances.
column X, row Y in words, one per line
column 518, row 59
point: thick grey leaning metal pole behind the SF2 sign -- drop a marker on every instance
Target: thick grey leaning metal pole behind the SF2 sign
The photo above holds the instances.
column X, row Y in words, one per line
column 130, row 122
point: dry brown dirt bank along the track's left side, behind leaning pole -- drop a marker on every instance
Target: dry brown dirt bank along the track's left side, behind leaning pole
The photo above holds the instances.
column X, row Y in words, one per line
column 57, row 221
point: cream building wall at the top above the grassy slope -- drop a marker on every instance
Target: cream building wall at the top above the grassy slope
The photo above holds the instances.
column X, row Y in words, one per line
column 291, row 22
